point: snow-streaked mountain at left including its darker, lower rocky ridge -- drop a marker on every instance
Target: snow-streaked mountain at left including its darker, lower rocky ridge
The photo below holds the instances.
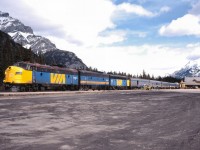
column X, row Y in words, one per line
column 25, row 36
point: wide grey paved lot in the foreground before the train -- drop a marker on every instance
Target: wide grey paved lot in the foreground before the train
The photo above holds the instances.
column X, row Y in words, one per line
column 107, row 120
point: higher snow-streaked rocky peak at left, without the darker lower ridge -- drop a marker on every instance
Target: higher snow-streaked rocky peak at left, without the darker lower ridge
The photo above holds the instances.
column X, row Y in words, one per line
column 24, row 34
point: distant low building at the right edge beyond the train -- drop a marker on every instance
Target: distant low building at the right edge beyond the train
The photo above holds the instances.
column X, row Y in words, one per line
column 192, row 82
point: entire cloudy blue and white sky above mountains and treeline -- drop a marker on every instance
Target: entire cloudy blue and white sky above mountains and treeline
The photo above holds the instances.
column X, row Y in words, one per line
column 129, row 36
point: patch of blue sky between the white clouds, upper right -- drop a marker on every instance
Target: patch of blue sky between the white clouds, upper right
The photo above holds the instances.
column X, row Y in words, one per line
column 151, row 25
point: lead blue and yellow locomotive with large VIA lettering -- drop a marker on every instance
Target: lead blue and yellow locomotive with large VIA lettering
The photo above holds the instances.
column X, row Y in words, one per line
column 34, row 77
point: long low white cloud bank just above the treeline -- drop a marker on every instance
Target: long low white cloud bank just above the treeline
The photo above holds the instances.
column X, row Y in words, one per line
column 154, row 59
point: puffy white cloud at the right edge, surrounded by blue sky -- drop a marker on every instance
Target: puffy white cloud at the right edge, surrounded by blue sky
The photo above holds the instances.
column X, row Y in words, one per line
column 187, row 25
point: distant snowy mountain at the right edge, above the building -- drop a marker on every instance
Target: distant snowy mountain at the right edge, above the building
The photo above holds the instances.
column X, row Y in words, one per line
column 191, row 69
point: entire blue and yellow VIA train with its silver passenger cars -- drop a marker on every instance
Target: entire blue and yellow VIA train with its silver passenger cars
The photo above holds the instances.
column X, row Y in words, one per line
column 26, row 76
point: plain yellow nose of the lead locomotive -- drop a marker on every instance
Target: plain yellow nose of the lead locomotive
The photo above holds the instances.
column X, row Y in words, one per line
column 17, row 75
